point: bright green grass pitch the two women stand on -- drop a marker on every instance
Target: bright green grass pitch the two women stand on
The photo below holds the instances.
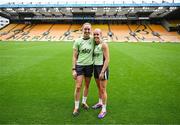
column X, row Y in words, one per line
column 36, row 85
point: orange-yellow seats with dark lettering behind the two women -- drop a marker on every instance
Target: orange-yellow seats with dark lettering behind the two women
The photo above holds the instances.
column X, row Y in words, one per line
column 58, row 32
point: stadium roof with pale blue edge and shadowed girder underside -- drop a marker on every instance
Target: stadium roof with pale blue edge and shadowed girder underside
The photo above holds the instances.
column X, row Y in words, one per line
column 94, row 11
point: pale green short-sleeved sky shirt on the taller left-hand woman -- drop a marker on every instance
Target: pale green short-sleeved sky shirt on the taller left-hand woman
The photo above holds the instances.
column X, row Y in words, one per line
column 85, row 51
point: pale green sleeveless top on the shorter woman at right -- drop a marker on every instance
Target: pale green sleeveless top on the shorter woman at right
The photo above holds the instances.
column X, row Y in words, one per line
column 98, row 55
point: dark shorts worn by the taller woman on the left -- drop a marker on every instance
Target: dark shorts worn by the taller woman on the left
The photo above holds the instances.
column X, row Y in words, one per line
column 84, row 70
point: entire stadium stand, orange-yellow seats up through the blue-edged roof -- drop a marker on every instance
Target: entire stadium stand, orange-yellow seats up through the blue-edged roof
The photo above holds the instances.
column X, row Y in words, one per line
column 142, row 22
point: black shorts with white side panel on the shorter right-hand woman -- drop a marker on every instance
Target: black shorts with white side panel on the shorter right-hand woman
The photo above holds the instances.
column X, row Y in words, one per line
column 97, row 71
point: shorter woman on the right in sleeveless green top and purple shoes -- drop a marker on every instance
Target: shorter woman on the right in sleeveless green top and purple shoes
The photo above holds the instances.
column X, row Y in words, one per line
column 101, row 71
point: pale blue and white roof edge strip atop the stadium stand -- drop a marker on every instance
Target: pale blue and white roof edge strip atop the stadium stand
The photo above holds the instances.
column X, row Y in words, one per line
column 89, row 3
